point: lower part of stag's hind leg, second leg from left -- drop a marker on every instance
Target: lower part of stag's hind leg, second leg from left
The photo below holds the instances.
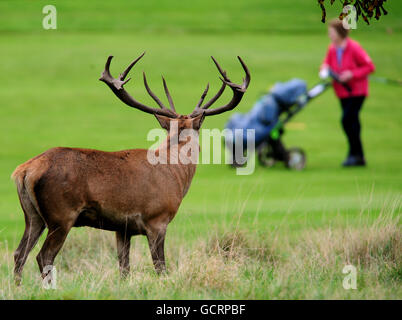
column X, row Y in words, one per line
column 52, row 245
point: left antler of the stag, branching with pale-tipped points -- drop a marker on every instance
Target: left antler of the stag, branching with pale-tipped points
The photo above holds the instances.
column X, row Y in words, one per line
column 116, row 85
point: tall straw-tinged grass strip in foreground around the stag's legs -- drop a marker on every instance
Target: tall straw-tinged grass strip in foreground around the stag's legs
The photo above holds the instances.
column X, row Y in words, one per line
column 229, row 263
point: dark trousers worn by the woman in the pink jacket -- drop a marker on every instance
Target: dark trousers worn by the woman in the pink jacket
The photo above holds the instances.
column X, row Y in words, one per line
column 351, row 123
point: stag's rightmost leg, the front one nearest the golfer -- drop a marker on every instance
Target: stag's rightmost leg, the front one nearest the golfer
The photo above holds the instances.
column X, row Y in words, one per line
column 156, row 241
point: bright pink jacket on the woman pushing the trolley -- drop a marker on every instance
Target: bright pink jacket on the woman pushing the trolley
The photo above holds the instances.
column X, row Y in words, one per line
column 355, row 59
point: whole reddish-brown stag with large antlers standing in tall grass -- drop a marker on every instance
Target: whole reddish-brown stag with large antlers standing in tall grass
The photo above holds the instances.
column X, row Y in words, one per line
column 116, row 191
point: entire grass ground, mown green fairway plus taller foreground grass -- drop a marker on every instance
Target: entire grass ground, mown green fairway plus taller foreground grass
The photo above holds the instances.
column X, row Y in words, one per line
column 272, row 235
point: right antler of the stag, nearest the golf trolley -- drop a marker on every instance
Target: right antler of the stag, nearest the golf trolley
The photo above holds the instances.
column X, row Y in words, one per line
column 238, row 92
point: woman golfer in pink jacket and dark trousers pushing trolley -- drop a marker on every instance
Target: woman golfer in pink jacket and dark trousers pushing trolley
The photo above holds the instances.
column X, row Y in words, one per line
column 353, row 65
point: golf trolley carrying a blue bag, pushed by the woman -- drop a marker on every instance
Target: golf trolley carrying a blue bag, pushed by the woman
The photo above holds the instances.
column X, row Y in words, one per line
column 269, row 116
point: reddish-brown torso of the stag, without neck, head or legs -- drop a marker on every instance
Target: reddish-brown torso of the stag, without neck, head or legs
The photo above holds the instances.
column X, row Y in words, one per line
column 105, row 190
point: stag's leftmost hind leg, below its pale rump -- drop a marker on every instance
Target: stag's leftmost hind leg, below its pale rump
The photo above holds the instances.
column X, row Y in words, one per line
column 34, row 227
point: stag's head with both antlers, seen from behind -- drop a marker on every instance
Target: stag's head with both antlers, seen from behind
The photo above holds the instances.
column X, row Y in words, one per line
column 165, row 115
